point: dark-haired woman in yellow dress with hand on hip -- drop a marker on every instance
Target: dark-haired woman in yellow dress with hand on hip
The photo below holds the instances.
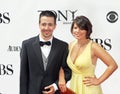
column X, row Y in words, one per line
column 82, row 58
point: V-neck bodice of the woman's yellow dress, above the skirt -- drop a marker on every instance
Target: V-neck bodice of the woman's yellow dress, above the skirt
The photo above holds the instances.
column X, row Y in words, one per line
column 83, row 63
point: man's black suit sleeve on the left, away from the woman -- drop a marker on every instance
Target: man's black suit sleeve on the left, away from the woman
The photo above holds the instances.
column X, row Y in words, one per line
column 24, row 71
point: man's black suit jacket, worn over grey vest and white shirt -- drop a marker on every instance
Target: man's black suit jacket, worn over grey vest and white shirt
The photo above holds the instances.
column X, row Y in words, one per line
column 33, row 77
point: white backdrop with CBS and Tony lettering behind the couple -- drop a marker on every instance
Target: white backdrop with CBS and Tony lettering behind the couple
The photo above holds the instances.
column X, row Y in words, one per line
column 19, row 21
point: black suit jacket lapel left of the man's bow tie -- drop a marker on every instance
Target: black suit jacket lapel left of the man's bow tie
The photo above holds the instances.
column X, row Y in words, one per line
column 37, row 50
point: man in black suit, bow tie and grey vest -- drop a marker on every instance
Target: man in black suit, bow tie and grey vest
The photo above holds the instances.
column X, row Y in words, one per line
column 41, row 59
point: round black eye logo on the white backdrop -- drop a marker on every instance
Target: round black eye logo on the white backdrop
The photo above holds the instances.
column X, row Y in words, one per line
column 112, row 17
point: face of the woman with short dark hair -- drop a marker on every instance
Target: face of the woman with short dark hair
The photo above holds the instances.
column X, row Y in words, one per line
column 78, row 33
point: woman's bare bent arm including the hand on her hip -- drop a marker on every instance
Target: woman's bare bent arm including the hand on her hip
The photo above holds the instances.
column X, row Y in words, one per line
column 99, row 52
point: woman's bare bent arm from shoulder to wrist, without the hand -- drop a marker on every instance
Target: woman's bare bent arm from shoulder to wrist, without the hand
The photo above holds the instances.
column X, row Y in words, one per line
column 107, row 60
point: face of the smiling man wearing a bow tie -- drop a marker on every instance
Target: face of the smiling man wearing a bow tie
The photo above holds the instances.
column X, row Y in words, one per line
column 47, row 26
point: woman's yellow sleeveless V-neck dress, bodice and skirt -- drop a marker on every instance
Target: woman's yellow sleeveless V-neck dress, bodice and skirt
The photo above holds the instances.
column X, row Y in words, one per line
column 81, row 68
